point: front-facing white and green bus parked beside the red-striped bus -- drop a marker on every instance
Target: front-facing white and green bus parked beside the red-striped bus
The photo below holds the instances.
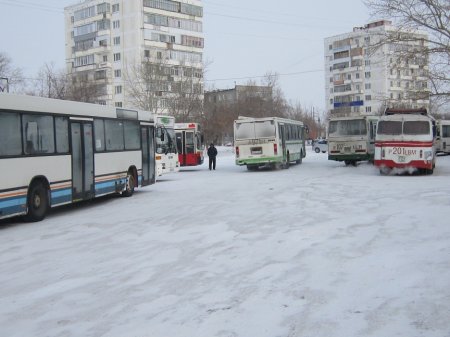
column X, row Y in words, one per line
column 352, row 138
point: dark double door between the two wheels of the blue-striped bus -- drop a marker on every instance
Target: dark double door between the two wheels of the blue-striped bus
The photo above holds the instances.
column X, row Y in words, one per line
column 82, row 160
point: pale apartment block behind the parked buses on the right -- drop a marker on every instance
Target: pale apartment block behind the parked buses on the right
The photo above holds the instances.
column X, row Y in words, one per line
column 365, row 75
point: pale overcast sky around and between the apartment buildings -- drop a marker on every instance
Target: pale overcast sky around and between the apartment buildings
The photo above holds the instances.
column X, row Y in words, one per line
column 244, row 39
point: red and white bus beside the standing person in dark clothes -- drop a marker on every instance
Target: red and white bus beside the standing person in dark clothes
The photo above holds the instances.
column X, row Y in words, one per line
column 189, row 144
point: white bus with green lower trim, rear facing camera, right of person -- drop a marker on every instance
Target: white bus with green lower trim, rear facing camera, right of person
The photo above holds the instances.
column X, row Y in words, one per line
column 269, row 141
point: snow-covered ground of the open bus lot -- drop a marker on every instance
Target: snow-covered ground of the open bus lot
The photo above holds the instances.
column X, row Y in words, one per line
column 318, row 250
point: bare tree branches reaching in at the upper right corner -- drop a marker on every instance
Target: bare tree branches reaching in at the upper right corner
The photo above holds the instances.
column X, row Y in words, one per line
column 432, row 17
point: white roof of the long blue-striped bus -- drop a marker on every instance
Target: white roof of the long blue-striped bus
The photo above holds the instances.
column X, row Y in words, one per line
column 37, row 104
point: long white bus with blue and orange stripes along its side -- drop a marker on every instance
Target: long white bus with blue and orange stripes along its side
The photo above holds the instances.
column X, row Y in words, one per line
column 56, row 152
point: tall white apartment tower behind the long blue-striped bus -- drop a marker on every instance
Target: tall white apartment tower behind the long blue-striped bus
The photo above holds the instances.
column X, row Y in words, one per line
column 136, row 54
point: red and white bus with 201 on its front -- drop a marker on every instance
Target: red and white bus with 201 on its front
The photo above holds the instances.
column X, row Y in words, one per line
column 405, row 140
